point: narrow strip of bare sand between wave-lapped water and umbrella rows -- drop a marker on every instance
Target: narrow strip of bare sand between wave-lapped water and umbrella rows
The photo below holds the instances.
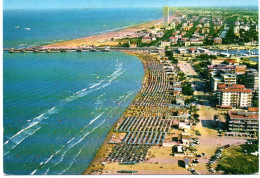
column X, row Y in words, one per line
column 101, row 153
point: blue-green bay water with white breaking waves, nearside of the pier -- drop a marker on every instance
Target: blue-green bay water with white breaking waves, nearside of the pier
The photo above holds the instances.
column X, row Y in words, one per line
column 58, row 108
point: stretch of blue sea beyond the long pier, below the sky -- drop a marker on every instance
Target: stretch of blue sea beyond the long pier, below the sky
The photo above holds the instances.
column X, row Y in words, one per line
column 25, row 28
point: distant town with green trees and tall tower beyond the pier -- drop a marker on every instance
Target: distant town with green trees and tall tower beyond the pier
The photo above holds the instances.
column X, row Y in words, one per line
column 189, row 27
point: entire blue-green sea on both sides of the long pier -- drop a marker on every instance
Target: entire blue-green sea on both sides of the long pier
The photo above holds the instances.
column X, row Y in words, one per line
column 59, row 107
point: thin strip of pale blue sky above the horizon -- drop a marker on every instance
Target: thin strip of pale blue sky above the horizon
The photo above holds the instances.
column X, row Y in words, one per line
column 58, row 4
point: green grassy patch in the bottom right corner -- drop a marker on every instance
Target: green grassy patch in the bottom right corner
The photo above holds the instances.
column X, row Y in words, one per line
column 238, row 160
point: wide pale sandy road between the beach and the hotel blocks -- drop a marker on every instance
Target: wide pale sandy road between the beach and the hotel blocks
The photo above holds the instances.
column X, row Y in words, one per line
column 209, row 139
